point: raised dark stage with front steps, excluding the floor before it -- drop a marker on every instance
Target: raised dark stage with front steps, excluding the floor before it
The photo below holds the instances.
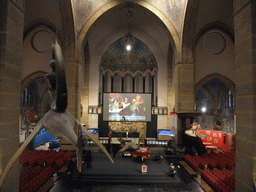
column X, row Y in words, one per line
column 127, row 170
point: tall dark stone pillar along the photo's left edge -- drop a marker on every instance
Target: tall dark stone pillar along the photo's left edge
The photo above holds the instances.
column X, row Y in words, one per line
column 11, row 35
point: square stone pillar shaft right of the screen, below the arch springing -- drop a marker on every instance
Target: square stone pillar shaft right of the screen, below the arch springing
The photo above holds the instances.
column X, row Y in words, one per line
column 184, row 87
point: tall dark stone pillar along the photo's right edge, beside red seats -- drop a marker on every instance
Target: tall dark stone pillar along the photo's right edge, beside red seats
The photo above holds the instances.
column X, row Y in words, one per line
column 245, row 64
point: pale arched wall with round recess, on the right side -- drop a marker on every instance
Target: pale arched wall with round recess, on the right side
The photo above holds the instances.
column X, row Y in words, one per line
column 207, row 63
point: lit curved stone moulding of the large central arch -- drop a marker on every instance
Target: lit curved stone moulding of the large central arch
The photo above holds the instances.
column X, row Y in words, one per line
column 82, row 35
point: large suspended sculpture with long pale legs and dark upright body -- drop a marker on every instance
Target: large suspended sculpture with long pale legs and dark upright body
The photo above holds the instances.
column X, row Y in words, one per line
column 58, row 121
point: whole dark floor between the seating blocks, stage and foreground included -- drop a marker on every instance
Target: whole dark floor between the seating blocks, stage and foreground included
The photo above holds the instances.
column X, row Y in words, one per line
column 126, row 175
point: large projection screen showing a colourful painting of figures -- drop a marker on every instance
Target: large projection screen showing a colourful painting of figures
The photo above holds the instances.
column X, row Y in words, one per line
column 127, row 107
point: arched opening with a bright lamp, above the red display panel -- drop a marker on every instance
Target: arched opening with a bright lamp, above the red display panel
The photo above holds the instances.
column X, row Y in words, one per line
column 218, row 101
